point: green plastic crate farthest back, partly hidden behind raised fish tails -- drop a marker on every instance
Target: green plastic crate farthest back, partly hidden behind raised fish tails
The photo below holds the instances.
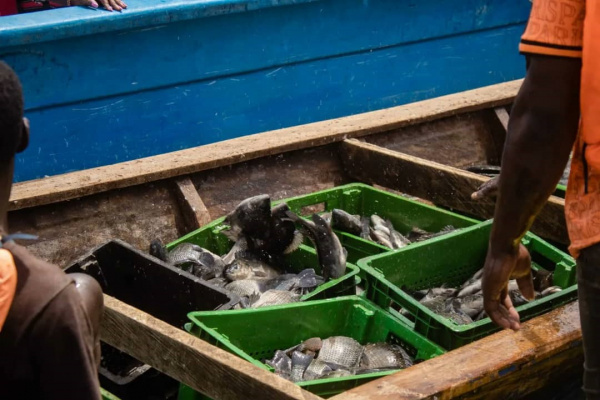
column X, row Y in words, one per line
column 365, row 200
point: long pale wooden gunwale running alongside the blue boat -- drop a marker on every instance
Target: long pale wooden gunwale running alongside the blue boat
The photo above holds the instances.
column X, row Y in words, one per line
column 83, row 183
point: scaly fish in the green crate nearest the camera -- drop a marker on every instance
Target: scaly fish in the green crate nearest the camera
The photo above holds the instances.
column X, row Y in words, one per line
column 337, row 356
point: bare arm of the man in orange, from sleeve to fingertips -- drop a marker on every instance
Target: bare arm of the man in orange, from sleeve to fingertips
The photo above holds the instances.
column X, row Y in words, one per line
column 542, row 128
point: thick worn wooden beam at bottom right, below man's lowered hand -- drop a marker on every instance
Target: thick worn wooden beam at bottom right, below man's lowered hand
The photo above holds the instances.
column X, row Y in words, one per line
column 499, row 362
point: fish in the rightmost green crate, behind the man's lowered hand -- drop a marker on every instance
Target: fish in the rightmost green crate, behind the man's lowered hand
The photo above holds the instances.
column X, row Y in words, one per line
column 464, row 305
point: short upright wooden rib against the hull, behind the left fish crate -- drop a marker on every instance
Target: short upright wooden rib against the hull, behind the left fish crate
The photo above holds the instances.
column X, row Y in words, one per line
column 194, row 212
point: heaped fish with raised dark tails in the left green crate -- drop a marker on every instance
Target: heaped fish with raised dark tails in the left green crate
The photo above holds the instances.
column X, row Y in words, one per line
column 255, row 269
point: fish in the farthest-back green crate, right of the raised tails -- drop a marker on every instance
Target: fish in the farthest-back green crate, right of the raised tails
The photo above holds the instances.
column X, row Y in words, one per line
column 377, row 229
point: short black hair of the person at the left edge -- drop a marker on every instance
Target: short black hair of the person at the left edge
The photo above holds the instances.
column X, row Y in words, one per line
column 11, row 112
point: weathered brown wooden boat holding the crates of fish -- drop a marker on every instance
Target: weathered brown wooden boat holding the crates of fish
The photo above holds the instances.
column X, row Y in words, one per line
column 418, row 149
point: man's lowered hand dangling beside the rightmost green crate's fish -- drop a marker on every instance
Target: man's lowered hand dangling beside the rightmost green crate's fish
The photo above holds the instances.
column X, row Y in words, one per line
column 498, row 270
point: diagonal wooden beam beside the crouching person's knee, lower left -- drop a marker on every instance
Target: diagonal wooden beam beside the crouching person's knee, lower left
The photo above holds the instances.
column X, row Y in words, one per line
column 190, row 360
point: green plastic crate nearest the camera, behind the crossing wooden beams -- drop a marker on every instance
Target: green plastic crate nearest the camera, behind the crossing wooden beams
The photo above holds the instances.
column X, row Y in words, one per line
column 255, row 334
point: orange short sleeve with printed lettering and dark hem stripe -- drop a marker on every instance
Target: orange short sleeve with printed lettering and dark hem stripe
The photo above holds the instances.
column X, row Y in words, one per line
column 555, row 28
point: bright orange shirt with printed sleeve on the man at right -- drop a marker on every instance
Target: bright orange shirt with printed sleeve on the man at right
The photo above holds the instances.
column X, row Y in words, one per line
column 571, row 28
